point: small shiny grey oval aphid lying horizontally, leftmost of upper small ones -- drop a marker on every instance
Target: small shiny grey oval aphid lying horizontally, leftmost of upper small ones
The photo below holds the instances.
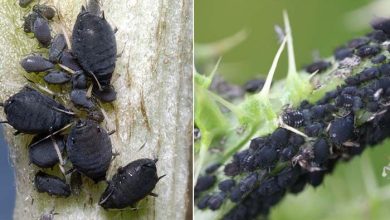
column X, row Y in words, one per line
column 36, row 63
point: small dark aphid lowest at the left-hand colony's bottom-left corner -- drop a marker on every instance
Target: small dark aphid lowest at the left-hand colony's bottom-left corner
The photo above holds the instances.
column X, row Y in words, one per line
column 51, row 185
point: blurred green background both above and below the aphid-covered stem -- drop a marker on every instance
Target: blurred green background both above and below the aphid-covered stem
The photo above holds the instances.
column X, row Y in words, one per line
column 357, row 189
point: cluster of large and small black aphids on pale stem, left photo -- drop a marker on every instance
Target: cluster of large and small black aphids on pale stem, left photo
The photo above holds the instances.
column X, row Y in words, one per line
column 88, row 67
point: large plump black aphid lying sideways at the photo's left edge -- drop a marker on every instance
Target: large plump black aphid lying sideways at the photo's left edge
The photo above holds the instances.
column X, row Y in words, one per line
column 29, row 111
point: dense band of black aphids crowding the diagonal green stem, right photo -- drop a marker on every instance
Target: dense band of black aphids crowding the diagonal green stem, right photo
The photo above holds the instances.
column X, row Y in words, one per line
column 336, row 127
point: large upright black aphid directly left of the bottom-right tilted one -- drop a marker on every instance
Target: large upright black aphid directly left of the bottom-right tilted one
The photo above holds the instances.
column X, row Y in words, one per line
column 89, row 149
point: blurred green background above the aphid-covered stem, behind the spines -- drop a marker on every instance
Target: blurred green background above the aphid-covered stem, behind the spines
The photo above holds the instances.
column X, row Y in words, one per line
column 316, row 25
